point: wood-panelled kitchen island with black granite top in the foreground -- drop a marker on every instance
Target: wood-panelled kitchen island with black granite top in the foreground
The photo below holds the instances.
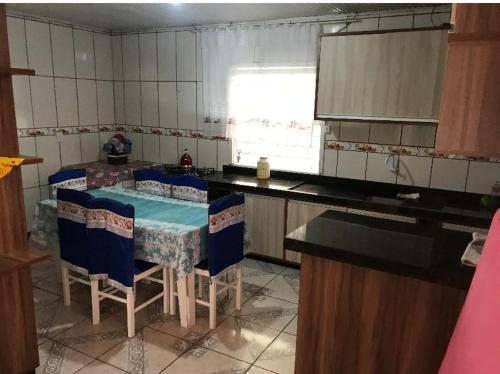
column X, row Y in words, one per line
column 376, row 296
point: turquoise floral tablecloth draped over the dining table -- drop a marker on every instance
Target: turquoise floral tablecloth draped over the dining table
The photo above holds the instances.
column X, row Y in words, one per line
column 168, row 231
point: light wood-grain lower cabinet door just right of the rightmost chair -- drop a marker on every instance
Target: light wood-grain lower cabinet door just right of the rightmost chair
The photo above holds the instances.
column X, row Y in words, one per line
column 265, row 220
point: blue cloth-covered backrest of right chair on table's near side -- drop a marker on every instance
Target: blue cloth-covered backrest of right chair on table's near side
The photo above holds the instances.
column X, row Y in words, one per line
column 110, row 231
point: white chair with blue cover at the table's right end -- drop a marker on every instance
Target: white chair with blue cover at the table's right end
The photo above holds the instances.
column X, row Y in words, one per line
column 226, row 232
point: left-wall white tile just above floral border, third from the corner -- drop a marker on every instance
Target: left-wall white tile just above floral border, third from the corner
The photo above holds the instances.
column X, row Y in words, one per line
column 66, row 101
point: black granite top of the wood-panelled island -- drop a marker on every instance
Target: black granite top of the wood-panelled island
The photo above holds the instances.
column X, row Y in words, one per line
column 415, row 250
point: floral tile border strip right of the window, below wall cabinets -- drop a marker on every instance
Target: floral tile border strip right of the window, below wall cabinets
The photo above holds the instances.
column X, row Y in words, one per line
column 399, row 150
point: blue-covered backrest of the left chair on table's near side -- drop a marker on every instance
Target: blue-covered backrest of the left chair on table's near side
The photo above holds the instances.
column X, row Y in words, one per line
column 72, row 209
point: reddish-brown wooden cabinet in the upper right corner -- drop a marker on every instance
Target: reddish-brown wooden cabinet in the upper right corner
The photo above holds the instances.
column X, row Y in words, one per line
column 470, row 115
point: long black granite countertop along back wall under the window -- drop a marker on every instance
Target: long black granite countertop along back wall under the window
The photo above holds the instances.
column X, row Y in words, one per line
column 437, row 205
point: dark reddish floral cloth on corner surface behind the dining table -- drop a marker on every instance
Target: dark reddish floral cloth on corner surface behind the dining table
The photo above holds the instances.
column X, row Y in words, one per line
column 102, row 174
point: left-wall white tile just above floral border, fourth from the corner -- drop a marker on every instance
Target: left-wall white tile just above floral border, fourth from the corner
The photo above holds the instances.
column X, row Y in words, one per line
column 43, row 101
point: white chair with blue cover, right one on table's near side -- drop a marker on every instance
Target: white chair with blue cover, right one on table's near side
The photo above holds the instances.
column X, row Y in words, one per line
column 110, row 231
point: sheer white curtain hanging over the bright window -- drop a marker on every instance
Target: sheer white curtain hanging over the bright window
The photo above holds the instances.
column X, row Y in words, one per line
column 260, row 81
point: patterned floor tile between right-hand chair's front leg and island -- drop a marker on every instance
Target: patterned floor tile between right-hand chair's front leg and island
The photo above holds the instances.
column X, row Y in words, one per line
column 268, row 311
